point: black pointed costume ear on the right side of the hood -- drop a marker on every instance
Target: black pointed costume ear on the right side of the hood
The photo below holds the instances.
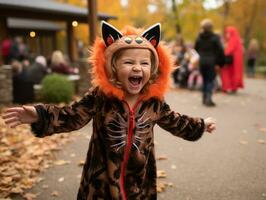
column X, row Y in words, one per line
column 153, row 34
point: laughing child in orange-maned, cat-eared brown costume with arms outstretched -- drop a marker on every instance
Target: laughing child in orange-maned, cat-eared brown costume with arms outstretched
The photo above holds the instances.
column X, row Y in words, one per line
column 131, row 72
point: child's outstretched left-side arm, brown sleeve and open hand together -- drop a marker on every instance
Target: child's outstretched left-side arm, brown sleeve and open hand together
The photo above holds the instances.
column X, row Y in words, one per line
column 46, row 119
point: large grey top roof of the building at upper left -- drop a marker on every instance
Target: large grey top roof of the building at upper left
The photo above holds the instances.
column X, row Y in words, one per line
column 40, row 8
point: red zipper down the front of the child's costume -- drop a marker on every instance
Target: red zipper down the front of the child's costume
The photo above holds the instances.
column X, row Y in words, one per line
column 127, row 147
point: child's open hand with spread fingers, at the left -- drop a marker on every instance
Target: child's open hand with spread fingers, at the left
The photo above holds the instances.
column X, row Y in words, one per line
column 20, row 115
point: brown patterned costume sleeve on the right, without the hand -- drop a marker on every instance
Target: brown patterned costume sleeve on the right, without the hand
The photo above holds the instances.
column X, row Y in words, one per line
column 180, row 125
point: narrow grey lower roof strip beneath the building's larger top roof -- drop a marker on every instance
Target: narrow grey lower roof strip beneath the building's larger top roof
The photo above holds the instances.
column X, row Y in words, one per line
column 33, row 24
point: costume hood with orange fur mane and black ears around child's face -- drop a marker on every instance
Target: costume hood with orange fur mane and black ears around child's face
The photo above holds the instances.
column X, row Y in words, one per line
column 130, row 37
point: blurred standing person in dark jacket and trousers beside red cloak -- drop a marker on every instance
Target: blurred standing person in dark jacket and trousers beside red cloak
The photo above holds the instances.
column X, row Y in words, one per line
column 211, row 52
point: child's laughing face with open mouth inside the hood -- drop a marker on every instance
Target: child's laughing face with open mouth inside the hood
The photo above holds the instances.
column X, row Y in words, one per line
column 133, row 68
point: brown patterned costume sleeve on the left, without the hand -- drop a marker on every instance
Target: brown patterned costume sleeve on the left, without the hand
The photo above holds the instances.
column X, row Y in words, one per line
column 55, row 119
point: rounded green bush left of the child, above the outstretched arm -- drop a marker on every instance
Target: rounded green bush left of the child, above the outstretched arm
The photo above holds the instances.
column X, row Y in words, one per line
column 56, row 89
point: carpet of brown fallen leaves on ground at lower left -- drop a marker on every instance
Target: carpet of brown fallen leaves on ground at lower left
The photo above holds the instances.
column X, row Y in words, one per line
column 23, row 156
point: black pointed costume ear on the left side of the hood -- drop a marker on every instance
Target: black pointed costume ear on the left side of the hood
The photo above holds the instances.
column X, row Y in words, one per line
column 109, row 33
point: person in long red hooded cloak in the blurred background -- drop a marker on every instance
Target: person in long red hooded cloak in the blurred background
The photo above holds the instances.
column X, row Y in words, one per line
column 232, row 72
